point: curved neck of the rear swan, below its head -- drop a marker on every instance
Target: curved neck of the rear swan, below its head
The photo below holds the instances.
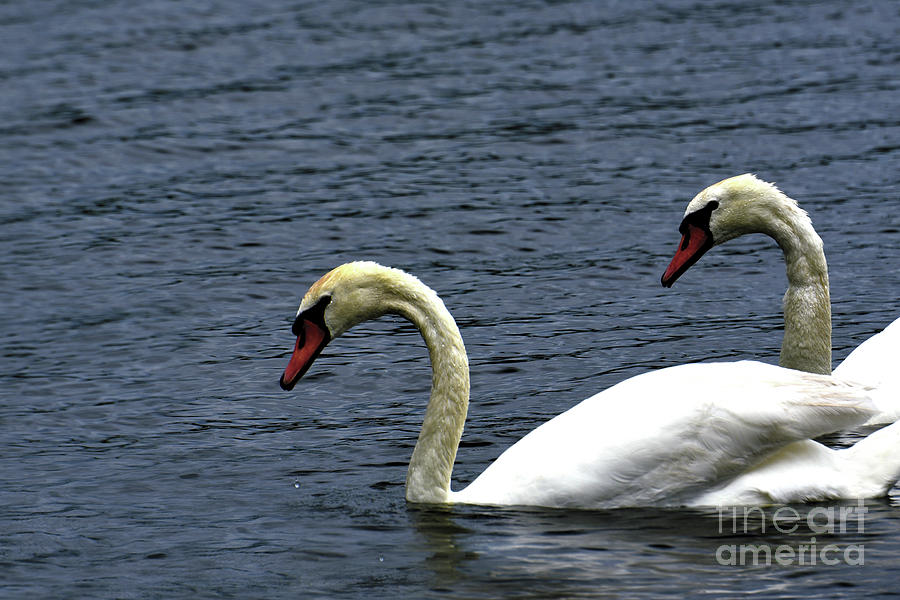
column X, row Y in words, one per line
column 807, row 306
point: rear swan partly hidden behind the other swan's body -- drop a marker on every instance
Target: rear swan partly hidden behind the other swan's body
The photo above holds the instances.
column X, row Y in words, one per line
column 746, row 204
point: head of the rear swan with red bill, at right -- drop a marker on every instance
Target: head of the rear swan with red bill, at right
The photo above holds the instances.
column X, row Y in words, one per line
column 728, row 209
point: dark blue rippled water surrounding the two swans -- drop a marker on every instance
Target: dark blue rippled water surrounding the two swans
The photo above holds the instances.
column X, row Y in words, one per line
column 174, row 175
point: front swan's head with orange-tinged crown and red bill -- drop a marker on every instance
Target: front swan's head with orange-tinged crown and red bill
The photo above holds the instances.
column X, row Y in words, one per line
column 345, row 296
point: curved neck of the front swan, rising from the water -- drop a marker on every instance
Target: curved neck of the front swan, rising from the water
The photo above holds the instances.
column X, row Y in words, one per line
column 431, row 465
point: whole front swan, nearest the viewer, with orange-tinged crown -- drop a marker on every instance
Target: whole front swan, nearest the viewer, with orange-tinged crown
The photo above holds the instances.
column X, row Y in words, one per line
column 662, row 438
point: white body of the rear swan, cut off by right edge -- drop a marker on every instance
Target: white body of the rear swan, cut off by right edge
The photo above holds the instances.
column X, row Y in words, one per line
column 875, row 363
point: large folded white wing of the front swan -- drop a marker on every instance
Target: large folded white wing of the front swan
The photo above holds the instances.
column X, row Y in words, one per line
column 665, row 437
